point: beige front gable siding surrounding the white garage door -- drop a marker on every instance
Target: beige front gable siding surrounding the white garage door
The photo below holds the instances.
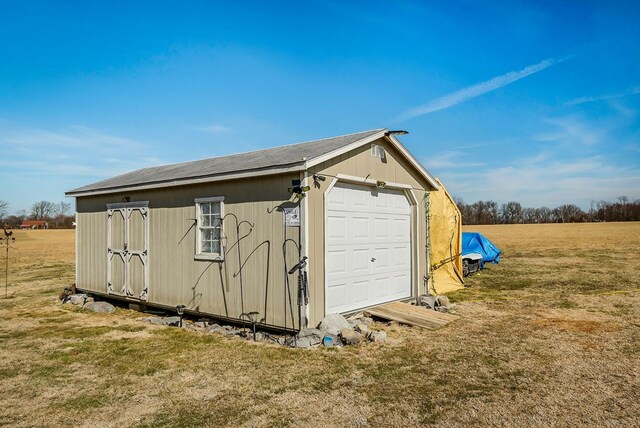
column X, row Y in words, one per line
column 360, row 163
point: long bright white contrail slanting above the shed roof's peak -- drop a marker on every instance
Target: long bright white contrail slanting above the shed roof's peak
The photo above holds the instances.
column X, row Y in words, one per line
column 478, row 89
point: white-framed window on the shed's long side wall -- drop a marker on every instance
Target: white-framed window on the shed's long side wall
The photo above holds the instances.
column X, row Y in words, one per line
column 209, row 213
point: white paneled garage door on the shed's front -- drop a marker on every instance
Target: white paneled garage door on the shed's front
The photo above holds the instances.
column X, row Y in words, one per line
column 368, row 242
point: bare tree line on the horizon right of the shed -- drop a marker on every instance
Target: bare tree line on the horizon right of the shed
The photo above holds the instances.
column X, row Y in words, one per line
column 489, row 212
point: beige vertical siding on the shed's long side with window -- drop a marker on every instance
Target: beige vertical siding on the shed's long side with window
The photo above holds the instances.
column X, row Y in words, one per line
column 210, row 287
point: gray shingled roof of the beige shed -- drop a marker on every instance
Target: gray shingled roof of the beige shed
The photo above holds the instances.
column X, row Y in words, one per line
column 274, row 158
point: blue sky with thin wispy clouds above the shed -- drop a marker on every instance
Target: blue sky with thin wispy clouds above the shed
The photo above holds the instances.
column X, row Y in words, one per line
column 536, row 102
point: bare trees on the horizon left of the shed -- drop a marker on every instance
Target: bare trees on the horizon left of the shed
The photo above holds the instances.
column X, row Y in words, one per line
column 57, row 214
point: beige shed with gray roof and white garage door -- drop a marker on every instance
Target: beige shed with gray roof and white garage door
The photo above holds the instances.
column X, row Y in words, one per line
column 225, row 236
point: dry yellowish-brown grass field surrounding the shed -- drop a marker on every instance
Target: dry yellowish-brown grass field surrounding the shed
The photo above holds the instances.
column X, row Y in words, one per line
column 550, row 337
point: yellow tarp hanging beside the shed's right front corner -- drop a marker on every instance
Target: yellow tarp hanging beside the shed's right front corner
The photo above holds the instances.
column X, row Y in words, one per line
column 445, row 226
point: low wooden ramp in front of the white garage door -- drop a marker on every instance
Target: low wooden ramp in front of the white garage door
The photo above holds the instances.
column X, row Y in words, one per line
column 405, row 313
